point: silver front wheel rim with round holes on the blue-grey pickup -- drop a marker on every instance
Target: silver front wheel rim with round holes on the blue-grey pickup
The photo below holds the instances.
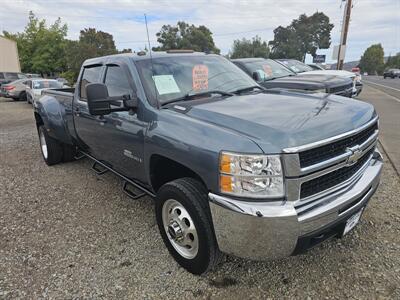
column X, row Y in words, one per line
column 180, row 229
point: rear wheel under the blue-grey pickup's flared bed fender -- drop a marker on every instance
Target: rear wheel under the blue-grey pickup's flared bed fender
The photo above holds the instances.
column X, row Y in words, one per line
column 51, row 149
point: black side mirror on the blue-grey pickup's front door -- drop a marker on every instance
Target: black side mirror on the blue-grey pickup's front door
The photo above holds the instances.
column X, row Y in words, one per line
column 97, row 97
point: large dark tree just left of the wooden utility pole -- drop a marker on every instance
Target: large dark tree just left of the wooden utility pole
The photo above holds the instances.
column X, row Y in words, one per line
column 304, row 35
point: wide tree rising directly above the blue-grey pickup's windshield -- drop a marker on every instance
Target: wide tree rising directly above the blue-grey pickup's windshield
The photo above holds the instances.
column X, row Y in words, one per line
column 185, row 36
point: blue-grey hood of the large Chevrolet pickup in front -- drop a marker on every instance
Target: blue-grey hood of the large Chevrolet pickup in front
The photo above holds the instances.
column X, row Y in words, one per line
column 278, row 120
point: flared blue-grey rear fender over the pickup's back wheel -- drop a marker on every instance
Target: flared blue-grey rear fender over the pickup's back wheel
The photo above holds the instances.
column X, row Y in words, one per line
column 54, row 119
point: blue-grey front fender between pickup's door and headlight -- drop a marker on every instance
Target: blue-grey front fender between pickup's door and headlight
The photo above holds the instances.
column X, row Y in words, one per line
column 194, row 144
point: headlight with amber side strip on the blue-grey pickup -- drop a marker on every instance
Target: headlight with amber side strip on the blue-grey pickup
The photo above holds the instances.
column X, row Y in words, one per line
column 253, row 176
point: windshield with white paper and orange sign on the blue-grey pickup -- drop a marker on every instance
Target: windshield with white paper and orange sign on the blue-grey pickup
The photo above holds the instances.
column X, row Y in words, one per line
column 172, row 77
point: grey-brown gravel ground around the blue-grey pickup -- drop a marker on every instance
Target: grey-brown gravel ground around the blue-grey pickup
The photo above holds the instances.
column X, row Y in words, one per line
column 67, row 233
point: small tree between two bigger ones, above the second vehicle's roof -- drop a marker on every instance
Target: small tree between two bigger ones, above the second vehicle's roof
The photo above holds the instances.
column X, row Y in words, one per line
column 249, row 48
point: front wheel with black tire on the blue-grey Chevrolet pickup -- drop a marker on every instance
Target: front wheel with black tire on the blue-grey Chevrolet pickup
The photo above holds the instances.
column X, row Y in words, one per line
column 185, row 223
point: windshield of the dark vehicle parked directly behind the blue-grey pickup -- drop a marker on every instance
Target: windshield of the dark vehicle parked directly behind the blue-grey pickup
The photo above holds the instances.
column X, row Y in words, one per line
column 268, row 69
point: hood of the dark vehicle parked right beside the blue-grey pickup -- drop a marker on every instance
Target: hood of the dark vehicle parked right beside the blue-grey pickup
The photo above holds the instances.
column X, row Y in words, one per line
column 306, row 82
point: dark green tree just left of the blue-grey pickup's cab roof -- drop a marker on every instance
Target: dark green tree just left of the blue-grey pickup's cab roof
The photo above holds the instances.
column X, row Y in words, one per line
column 91, row 43
